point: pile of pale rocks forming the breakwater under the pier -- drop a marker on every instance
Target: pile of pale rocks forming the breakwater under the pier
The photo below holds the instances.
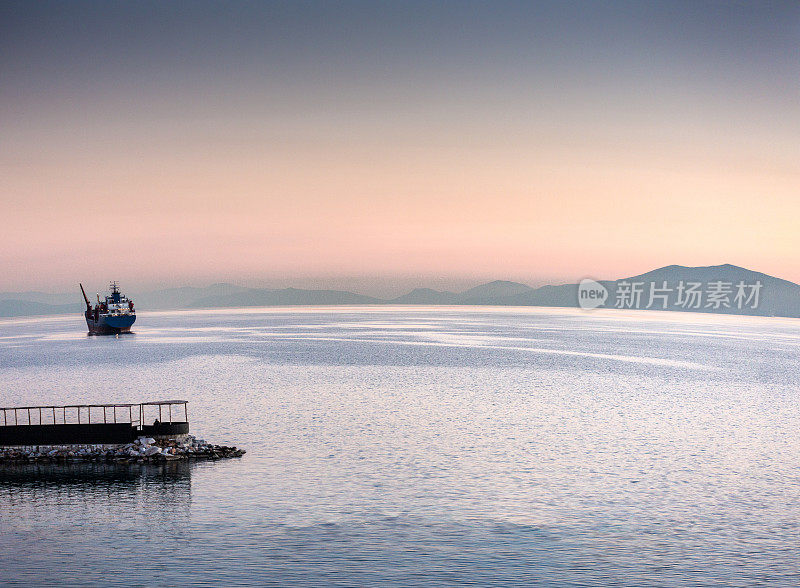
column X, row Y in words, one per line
column 143, row 450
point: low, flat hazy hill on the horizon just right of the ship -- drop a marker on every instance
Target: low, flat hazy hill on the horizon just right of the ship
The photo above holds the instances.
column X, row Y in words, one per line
column 285, row 297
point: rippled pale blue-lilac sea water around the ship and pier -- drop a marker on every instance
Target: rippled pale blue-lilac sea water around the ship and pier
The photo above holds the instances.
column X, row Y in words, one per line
column 420, row 447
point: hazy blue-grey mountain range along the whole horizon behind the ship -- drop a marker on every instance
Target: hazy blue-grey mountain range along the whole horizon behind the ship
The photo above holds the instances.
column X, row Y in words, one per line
column 775, row 297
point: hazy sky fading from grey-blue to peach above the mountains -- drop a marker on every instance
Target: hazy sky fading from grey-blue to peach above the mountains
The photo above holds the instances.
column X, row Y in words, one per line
column 390, row 144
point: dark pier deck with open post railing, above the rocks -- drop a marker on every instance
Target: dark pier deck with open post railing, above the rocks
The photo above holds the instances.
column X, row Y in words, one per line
column 89, row 422
